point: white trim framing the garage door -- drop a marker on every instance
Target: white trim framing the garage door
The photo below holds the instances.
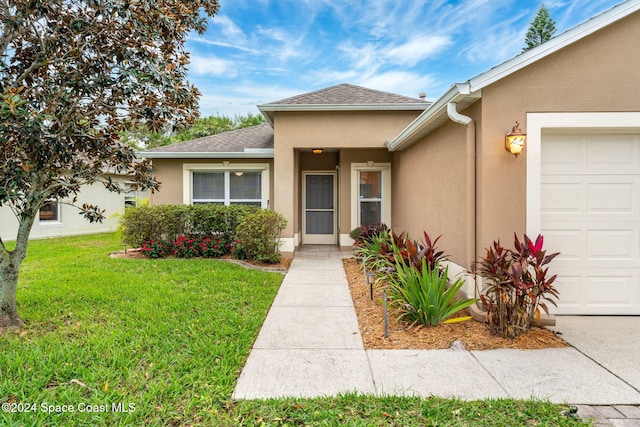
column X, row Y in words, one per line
column 537, row 123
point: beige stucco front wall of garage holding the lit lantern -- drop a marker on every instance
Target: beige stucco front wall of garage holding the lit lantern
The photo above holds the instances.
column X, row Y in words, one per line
column 596, row 74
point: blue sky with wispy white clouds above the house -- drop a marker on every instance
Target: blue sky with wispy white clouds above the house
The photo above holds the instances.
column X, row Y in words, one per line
column 259, row 51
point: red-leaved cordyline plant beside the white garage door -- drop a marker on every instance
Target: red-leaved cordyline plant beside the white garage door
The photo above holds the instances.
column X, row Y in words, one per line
column 516, row 285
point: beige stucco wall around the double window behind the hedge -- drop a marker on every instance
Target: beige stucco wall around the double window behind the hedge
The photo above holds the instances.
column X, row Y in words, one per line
column 170, row 174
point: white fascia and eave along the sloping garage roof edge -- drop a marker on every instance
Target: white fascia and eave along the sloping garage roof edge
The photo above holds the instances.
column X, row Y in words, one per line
column 465, row 94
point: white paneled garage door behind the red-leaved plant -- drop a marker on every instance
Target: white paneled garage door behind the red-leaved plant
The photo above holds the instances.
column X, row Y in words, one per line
column 590, row 201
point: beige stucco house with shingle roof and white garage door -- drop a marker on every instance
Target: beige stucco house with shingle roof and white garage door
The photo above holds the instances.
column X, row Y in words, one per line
column 443, row 168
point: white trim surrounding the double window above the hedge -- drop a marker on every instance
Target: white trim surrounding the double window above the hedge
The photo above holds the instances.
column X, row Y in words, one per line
column 227, row 167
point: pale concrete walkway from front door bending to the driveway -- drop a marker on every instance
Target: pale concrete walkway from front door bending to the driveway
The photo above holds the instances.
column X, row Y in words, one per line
column 310, row 346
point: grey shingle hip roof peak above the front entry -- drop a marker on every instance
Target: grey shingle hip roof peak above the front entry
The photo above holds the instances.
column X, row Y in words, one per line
column 344, row 97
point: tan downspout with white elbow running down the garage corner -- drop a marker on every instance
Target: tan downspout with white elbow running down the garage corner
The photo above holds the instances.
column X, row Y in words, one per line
column 455, row 116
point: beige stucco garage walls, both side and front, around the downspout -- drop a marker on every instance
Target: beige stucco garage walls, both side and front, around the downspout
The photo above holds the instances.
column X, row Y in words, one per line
column 599, row 73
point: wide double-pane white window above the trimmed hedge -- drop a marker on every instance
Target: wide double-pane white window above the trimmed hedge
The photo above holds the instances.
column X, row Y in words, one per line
column 229, row 185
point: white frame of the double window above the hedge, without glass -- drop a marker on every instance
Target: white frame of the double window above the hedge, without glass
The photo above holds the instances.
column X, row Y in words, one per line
column 227, row 168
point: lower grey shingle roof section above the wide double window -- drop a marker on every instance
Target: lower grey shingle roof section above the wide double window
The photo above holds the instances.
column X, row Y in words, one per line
column 238, row 141
